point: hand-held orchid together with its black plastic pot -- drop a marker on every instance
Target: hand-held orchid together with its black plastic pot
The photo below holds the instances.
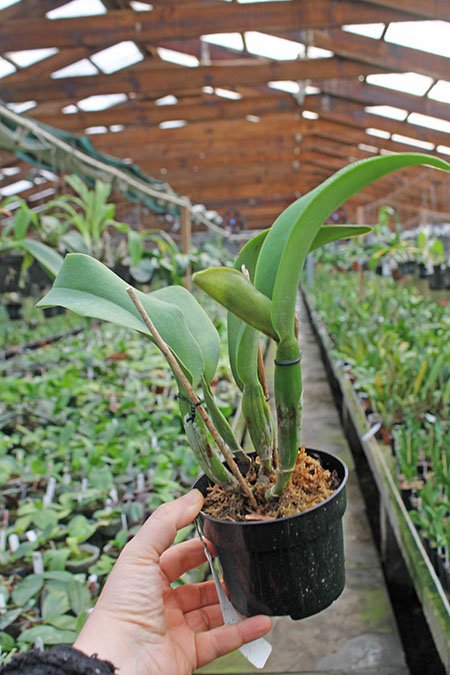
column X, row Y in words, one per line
column 275, row 518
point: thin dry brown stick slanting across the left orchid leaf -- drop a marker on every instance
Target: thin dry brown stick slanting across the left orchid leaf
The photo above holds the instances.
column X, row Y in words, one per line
column 195, row 400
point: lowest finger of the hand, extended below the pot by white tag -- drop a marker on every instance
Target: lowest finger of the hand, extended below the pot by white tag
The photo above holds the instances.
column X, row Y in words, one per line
column 220, row 641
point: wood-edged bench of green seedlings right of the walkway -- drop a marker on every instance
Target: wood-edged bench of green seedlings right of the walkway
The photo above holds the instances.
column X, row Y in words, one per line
column 388, row 358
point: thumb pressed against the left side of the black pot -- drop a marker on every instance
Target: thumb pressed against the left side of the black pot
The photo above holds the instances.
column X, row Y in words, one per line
column 158, row 532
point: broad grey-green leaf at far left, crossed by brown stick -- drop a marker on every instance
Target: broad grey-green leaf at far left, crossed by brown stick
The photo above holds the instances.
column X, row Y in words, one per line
column 89, row 288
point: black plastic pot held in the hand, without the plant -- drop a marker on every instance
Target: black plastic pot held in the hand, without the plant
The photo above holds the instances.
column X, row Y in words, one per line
column 291, row 566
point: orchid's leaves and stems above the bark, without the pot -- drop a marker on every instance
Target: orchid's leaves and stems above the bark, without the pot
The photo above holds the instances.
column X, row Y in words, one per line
column 260, row 294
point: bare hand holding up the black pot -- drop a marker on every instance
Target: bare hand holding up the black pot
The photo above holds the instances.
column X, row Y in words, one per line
column 145, row 627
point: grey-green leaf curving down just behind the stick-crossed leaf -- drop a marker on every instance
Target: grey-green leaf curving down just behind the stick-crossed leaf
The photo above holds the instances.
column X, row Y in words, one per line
column 198, row 322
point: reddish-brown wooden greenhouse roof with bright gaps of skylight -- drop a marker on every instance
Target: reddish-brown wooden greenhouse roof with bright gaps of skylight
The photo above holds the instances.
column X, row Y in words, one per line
column 251, row 117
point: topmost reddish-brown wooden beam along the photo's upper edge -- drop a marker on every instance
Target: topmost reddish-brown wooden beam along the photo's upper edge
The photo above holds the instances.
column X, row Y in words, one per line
column 184, row 21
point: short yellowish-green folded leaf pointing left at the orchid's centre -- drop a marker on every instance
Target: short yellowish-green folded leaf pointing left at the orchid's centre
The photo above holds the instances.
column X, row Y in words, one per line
column 235, row 292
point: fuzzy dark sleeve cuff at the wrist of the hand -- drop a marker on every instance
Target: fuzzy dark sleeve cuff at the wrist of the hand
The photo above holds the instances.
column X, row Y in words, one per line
column 60, row 660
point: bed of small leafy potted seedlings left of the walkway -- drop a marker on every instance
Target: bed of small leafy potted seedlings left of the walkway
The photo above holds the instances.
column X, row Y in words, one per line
column 90, row 444
